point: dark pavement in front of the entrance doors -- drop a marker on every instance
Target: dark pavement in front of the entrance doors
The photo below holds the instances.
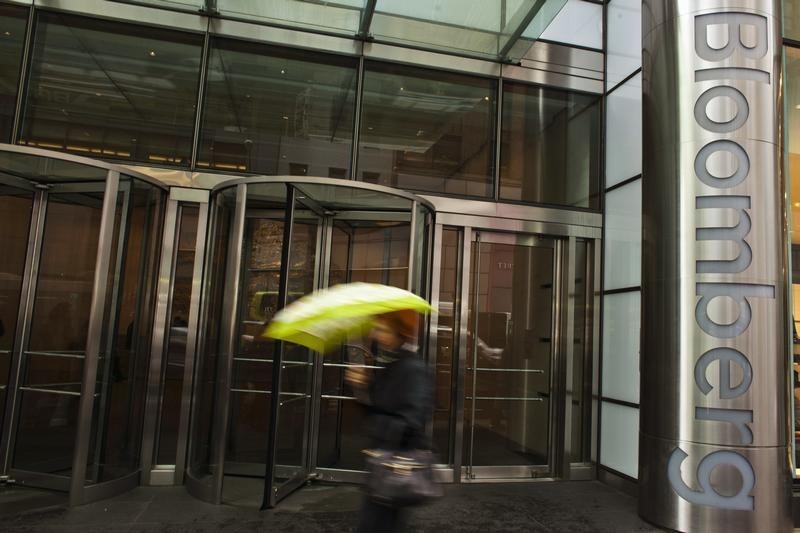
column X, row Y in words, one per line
column 578, row 506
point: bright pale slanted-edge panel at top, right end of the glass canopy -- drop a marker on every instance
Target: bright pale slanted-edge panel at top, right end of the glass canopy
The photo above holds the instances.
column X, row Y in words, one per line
column 579, row 23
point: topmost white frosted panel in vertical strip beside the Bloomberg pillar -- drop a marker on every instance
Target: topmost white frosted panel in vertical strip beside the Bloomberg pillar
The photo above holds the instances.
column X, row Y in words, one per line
column 624, row 46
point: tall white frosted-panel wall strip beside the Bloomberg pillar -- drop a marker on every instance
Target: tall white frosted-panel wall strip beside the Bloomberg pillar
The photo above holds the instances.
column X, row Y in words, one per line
column 619, row 405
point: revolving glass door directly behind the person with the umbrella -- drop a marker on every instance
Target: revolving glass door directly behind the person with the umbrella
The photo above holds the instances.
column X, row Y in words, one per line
column 268, row 416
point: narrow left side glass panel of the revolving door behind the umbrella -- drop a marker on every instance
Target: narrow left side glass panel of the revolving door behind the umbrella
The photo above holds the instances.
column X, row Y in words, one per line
column 202, row 451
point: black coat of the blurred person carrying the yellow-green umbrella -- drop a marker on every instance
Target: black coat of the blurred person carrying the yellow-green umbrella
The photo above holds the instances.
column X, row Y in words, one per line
column 401, row 404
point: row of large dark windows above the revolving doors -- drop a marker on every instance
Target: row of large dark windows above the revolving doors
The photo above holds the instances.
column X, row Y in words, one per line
column 120, row 91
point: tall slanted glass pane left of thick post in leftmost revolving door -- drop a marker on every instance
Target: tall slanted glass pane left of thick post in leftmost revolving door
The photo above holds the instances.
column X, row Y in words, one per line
column 51, row 379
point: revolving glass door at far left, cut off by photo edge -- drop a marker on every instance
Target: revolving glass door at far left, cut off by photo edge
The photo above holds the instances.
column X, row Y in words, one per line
column 78, row 297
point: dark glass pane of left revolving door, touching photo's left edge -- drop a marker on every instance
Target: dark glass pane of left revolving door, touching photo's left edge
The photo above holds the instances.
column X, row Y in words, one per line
column 15, row 217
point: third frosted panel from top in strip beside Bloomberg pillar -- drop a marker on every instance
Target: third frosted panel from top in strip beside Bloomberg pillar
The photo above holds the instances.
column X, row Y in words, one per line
column 623, row 246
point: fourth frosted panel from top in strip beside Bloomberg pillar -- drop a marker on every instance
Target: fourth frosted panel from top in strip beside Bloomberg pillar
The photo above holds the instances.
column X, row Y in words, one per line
column 621, row 324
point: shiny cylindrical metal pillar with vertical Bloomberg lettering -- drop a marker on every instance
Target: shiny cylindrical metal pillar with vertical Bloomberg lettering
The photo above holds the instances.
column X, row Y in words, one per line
column 713, row 452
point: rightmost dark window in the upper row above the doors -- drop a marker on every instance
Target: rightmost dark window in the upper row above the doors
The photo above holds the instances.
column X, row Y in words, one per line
column 551, row 147
